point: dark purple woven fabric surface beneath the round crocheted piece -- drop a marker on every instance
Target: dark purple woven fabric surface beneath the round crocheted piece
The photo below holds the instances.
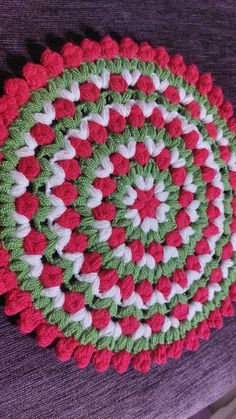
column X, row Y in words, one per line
column 32, row 383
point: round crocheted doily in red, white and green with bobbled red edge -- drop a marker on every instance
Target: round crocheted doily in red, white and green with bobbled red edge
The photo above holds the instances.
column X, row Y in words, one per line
column 118, row 204
